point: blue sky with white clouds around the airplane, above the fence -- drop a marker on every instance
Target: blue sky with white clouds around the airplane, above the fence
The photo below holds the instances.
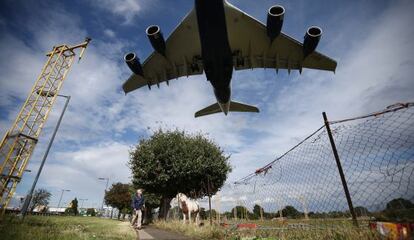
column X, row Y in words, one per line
column 370, row 40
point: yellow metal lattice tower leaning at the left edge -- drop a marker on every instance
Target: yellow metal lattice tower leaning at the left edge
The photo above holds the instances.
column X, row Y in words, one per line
column 19, row 142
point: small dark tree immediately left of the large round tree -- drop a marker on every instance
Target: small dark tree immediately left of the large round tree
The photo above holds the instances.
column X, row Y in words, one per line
column 119, row 196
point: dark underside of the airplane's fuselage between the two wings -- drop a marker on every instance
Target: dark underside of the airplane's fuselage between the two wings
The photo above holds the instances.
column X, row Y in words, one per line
column 215, row 49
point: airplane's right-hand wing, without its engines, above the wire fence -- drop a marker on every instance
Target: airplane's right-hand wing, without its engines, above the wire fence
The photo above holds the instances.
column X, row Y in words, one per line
column 252, row 48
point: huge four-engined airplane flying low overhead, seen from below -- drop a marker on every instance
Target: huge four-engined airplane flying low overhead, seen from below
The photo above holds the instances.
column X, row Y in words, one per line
column 216, row 37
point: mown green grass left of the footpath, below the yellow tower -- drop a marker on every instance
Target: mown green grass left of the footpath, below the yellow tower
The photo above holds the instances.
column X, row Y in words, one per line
column 64, row 228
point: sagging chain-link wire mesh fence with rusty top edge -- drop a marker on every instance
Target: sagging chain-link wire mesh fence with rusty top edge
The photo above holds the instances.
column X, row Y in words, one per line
column 302, row 188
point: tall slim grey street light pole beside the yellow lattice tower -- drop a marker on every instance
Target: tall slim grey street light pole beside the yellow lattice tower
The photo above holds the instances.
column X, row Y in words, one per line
column 29, row 196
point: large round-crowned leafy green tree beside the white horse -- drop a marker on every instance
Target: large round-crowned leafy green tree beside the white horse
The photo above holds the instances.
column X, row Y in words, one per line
column 174, row 161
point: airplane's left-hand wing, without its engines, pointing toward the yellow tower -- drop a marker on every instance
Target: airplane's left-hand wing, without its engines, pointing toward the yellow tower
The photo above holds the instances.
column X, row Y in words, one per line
column 182, row 57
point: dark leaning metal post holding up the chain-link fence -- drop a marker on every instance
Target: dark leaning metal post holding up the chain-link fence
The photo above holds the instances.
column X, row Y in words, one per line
column 341, row 173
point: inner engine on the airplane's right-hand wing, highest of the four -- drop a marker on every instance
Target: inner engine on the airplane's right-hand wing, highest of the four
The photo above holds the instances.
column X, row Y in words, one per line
column 274, row 24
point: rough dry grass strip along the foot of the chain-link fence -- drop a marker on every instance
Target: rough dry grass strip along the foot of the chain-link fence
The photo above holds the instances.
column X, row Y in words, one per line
column 346, row 232
